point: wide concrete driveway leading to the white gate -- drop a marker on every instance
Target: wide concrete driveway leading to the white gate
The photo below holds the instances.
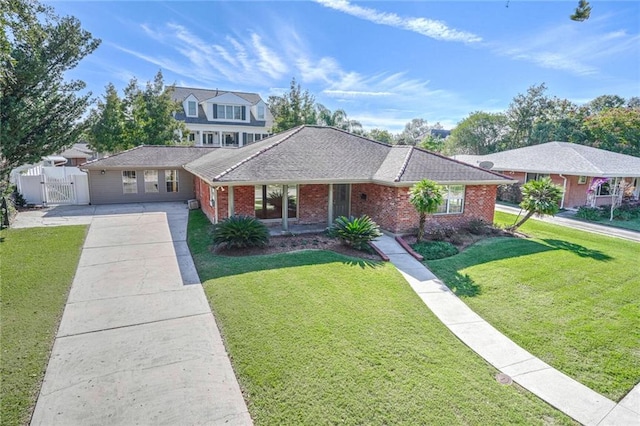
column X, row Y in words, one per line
column 138, row 343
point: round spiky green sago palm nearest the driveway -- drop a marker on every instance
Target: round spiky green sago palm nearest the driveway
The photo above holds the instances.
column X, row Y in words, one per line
column 241, row 231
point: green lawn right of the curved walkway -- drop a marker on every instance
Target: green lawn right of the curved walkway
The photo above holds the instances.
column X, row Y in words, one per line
column 569, row 297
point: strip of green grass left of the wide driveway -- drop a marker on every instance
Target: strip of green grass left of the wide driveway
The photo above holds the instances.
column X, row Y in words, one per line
column 37, row 268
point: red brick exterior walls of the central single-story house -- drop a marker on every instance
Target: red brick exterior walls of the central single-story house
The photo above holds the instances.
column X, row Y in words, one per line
column 388, row 206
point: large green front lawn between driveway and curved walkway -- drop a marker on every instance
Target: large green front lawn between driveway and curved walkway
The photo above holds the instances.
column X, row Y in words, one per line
column 319, row 338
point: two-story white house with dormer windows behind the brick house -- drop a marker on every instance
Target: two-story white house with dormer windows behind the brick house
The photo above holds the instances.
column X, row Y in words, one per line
column 220, row 118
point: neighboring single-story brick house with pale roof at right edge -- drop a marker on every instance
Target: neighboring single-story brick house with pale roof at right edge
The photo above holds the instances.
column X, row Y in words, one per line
column 578, row 169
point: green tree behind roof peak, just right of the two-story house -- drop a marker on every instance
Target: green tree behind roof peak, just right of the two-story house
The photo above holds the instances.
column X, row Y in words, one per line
column 292, row 109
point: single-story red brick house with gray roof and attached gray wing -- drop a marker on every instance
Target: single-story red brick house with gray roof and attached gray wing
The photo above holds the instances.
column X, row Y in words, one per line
column 325, row 173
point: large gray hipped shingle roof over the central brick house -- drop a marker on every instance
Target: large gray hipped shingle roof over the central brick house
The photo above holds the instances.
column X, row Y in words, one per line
column 324, row 154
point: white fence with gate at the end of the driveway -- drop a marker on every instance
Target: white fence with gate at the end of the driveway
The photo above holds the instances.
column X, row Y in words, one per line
column 54, row 187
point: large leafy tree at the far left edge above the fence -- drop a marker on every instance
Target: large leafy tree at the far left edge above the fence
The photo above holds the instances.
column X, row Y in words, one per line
column 40, row 112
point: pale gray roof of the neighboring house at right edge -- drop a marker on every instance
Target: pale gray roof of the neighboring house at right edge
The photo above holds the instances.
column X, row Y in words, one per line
column 561, row 157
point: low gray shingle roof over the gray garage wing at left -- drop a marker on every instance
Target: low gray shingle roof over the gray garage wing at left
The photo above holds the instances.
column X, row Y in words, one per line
column 150, row 156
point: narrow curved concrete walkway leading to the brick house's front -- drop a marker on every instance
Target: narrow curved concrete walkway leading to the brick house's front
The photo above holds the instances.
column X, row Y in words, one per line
column 559, row 390
